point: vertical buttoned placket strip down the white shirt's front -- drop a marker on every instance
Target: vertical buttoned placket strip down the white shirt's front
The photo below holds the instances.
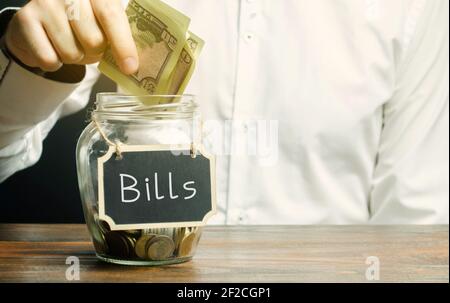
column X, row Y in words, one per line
column 245, row 84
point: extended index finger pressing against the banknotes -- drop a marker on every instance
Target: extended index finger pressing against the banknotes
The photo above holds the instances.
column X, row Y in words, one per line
column 114, row 22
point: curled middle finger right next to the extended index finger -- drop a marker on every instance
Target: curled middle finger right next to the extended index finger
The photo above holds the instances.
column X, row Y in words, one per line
column 87, row 30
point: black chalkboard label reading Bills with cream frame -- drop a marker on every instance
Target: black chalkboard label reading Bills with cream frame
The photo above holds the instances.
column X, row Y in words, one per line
column 156, row 186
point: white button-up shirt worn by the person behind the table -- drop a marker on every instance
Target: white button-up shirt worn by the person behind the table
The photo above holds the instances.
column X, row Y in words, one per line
column 359, row 90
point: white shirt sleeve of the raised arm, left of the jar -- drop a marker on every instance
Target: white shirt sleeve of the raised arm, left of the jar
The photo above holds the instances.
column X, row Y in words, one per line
column 30, row 106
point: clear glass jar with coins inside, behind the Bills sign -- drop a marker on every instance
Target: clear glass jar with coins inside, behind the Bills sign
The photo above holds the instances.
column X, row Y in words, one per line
column 126, row 119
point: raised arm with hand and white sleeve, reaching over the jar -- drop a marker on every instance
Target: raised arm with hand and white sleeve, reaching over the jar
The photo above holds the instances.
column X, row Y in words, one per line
column 43, row 74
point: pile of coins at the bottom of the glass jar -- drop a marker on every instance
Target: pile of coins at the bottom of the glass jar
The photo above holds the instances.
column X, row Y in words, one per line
column 146, row 244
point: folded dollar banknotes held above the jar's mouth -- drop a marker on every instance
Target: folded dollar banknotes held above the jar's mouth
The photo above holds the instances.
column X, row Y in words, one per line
column 167, row 50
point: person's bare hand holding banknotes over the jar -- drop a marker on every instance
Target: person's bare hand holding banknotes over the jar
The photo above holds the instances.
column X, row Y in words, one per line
column 46, row 34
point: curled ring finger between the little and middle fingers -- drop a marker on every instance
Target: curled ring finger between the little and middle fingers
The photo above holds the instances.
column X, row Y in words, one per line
column 60, row 33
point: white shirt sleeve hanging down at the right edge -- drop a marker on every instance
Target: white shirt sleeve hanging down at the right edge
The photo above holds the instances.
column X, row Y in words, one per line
column 411, row 178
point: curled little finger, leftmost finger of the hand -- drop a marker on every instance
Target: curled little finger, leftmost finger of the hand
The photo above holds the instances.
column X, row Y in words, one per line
column 28, row 41
